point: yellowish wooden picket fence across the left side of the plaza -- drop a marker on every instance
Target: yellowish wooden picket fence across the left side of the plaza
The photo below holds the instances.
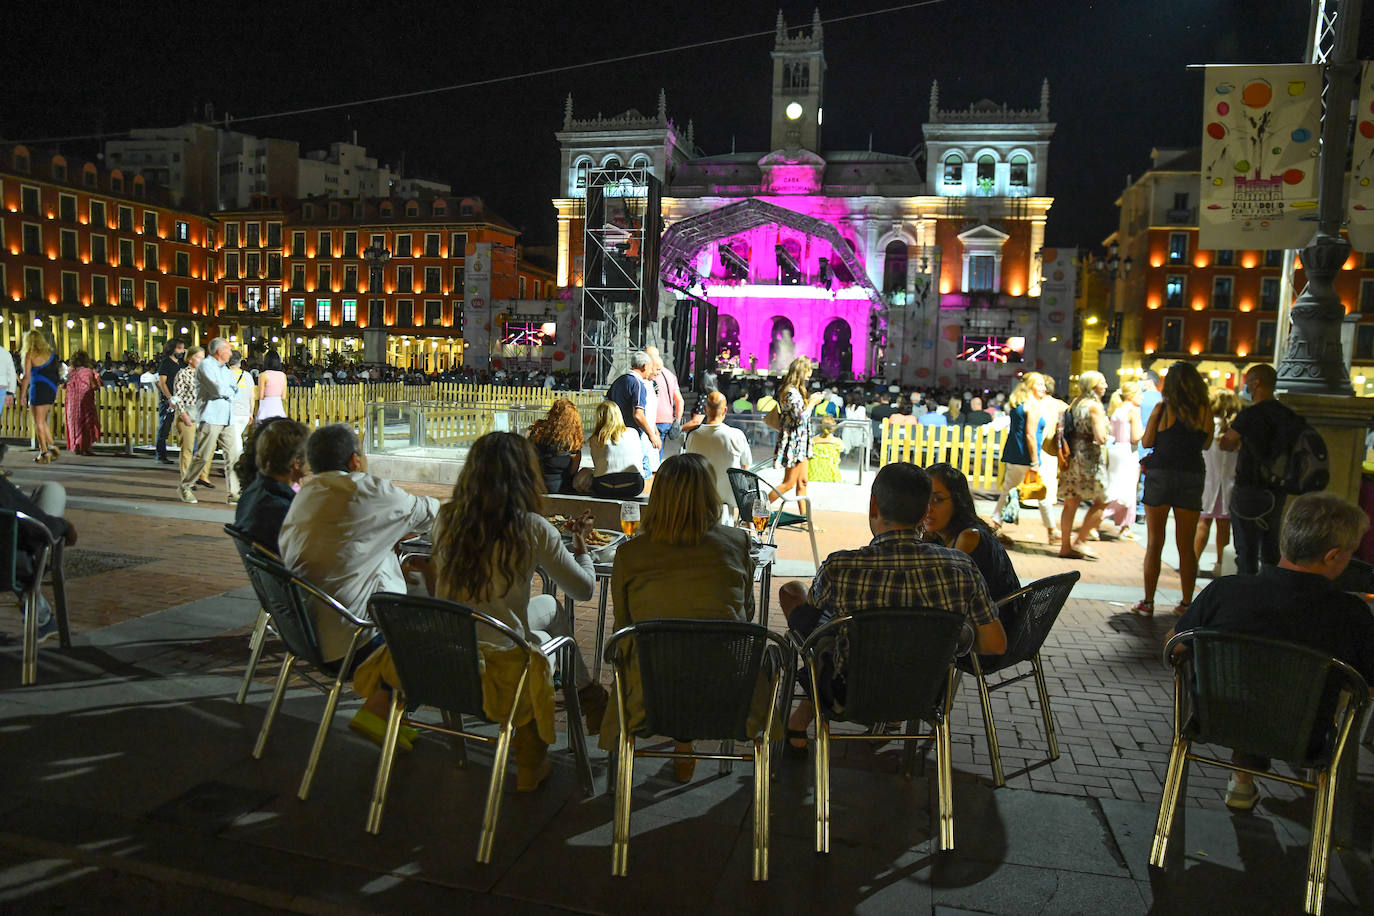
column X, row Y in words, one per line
column 130, row 417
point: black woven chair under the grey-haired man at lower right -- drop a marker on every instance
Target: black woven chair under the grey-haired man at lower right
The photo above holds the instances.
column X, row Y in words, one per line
column 1266, row 698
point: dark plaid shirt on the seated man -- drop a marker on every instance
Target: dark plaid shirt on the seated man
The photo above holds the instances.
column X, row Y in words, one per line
column 898, row 569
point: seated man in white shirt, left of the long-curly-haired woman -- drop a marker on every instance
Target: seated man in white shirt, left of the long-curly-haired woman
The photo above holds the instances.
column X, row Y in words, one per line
column 341, row 535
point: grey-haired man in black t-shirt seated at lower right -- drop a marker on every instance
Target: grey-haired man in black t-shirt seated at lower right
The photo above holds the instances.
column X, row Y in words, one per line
column 1296, row 602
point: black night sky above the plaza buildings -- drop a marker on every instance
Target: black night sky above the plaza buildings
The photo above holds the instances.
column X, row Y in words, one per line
column 1119, row 86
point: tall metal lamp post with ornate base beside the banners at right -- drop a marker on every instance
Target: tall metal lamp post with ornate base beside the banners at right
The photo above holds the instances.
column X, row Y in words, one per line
column 1313, row 362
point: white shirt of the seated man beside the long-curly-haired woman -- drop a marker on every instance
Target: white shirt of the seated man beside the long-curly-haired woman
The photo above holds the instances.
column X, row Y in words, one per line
column 341, row 535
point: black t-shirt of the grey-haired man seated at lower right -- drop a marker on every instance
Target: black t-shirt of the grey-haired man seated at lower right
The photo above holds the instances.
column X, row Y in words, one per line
column 1289, row 605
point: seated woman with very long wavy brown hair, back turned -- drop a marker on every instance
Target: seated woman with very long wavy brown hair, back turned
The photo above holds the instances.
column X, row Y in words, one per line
column 488, row 539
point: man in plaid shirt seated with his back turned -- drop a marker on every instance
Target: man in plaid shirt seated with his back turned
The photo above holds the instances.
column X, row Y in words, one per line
column 897, row 569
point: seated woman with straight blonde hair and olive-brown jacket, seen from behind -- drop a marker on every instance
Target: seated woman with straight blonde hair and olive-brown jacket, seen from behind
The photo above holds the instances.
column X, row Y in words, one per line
column 682, row 565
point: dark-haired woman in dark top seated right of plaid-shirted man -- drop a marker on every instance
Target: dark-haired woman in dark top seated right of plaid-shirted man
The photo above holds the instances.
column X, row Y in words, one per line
column 953, row 521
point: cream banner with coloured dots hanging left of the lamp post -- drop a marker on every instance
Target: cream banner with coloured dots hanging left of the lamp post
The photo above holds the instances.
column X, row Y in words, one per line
column 1261, row 130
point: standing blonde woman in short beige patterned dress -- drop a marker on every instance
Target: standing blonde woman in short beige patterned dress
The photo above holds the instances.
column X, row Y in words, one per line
column 1085, row 479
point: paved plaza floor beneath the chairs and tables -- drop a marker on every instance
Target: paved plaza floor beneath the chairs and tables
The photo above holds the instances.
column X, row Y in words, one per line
column 133, row 783
